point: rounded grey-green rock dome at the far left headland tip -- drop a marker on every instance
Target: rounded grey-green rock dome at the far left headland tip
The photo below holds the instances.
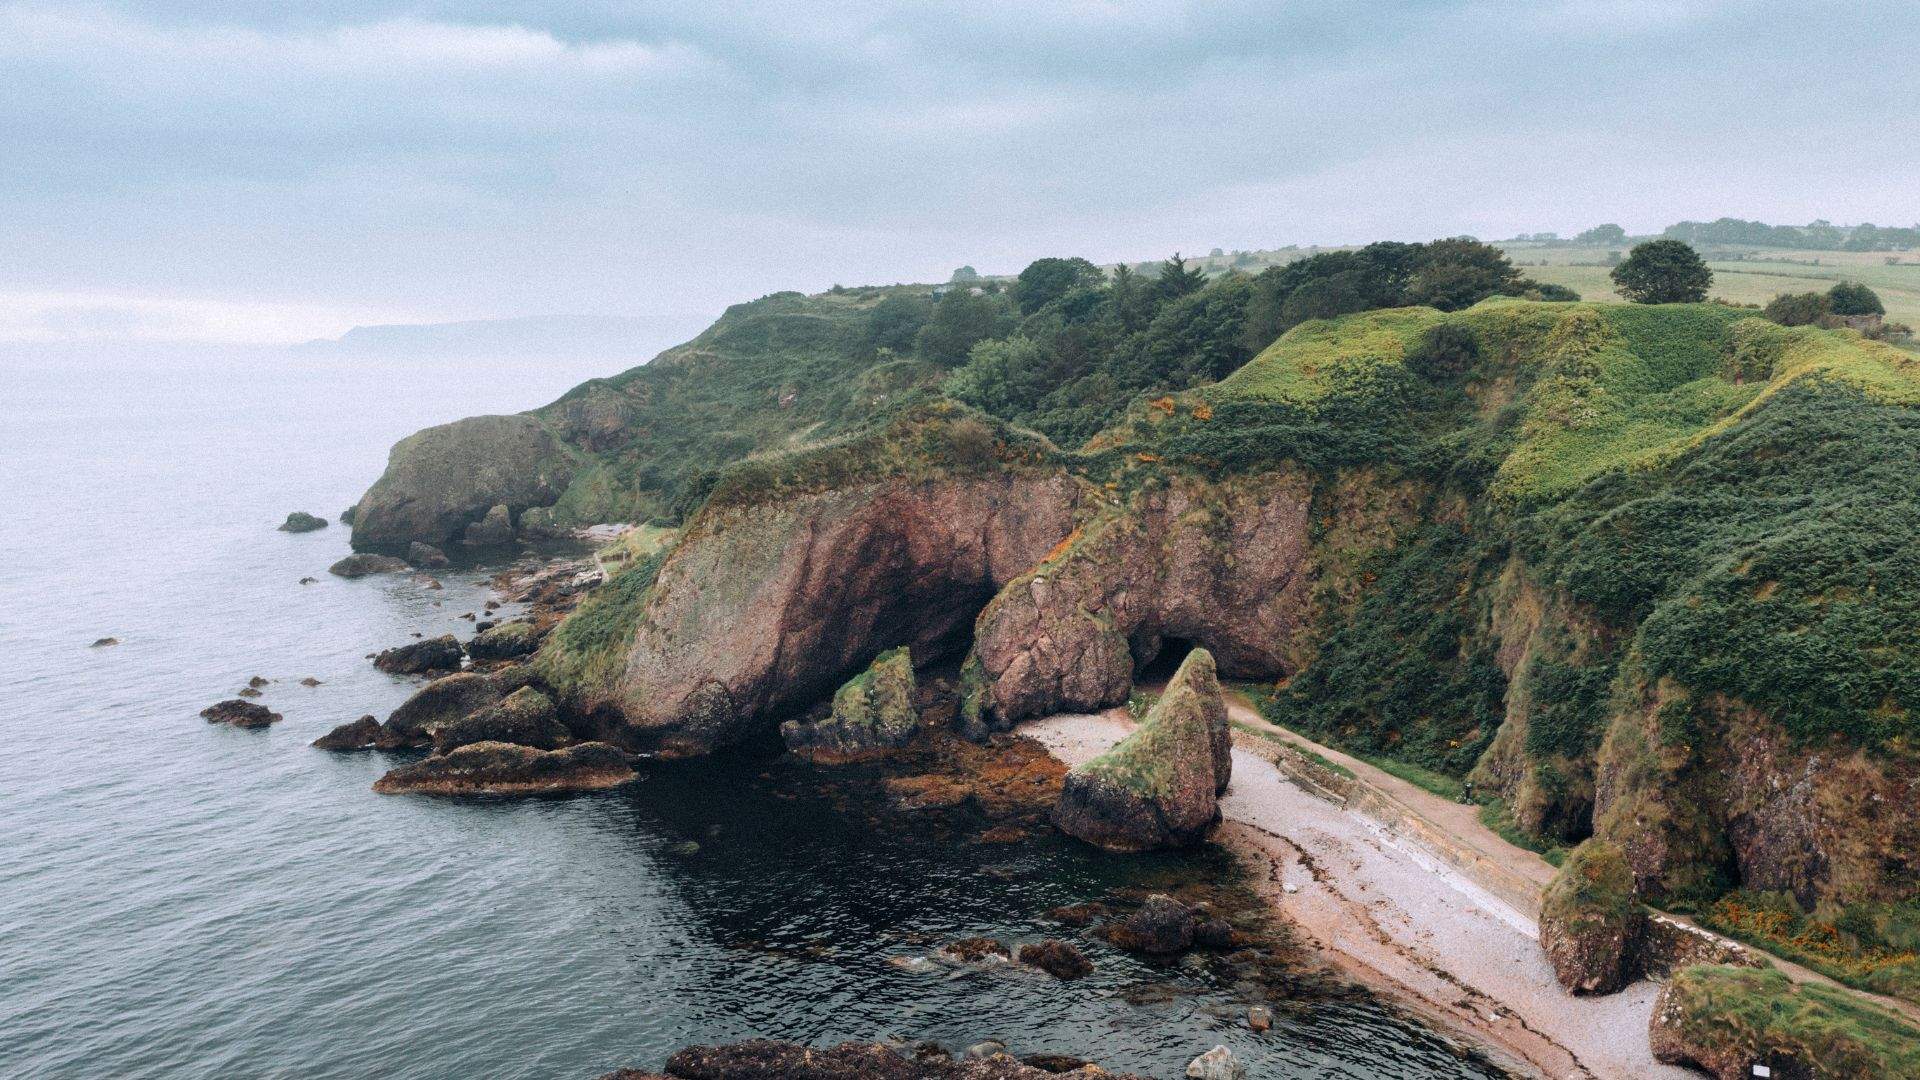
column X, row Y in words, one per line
column 443, row 479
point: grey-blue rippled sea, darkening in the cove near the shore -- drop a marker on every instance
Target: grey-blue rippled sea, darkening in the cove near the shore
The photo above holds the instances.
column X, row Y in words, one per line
column 181, row 900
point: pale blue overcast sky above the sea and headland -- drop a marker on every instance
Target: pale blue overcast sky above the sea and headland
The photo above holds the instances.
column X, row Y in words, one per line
column 274, row 172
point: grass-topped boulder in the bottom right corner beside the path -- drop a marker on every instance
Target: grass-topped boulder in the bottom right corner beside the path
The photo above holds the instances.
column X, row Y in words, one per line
column 1748, row 1016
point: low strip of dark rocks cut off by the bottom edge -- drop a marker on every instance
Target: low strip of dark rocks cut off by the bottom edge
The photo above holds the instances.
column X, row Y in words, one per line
column 763, row 1060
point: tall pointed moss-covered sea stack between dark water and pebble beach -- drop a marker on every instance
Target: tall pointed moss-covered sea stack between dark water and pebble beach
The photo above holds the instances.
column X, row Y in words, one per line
column 1161, row 785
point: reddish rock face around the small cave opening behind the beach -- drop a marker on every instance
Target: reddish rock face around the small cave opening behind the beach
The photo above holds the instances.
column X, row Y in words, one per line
column 1224, row 566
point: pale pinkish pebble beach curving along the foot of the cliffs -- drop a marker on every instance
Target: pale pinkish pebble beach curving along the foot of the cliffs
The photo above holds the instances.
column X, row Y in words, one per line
column 1364, row 898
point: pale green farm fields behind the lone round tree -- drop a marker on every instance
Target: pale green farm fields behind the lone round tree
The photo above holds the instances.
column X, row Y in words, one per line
column 1752, row 276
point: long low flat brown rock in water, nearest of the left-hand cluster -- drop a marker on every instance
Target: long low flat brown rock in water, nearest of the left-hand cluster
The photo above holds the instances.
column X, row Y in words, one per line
column 510, row 770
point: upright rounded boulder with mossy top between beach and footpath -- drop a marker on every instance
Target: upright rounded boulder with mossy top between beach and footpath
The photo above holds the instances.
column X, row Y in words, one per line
column 1591, row 923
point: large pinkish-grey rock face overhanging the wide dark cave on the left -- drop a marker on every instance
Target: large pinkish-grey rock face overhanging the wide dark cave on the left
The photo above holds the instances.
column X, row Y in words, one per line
column 771, row 606
